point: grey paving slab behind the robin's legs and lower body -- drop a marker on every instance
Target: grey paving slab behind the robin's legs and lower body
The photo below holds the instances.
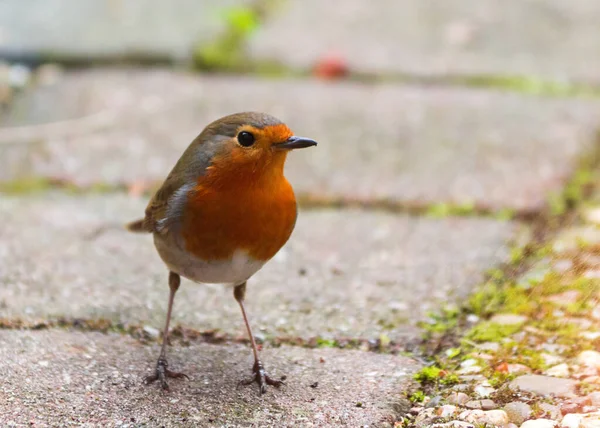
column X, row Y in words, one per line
column 344, row 273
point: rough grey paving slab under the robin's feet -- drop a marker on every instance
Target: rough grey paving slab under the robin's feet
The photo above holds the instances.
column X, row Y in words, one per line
column 57, row 378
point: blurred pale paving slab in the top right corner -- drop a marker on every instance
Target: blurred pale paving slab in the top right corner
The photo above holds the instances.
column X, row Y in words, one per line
column 549, row 39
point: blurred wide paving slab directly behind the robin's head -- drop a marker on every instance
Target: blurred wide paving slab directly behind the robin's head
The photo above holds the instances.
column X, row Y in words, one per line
column 400, row 143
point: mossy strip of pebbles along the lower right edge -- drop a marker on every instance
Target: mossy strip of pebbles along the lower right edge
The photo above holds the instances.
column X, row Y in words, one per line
column 527, row 340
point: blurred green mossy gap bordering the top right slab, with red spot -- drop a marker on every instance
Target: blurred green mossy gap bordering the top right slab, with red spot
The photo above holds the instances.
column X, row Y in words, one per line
column 229, row 53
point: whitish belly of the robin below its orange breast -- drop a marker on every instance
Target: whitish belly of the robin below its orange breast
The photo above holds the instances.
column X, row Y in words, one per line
column 231, row 272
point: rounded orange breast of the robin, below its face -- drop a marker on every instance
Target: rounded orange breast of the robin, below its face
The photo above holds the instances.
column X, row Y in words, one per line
column 257, row 216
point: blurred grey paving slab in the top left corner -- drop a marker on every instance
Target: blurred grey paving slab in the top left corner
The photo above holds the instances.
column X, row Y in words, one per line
column 91, row 29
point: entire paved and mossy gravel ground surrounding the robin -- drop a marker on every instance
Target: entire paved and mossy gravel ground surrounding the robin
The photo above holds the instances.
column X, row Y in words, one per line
column 455, row 138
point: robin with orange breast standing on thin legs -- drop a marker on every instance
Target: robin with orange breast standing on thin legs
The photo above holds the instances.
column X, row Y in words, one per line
column 224, row 210
